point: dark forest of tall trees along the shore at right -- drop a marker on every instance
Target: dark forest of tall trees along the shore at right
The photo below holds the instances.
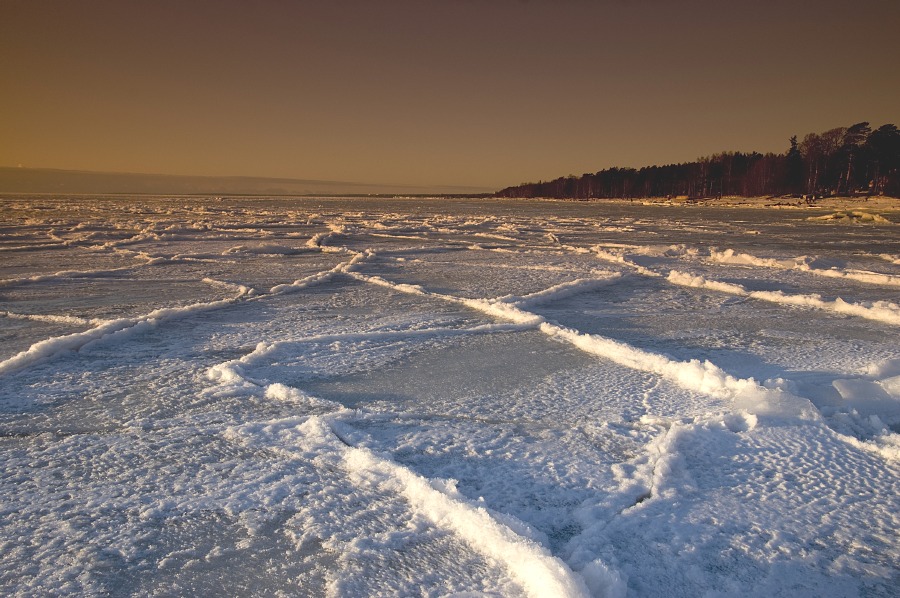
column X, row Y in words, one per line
column 853, row 160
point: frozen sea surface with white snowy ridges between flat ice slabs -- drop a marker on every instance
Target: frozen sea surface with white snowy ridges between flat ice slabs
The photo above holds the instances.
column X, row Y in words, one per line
column 412, row 397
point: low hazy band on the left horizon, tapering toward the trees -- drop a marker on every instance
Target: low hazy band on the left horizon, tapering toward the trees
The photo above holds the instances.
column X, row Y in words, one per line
column 47, row 180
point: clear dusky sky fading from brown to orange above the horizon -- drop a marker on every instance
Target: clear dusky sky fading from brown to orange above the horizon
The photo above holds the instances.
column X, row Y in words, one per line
column 479, row 93
